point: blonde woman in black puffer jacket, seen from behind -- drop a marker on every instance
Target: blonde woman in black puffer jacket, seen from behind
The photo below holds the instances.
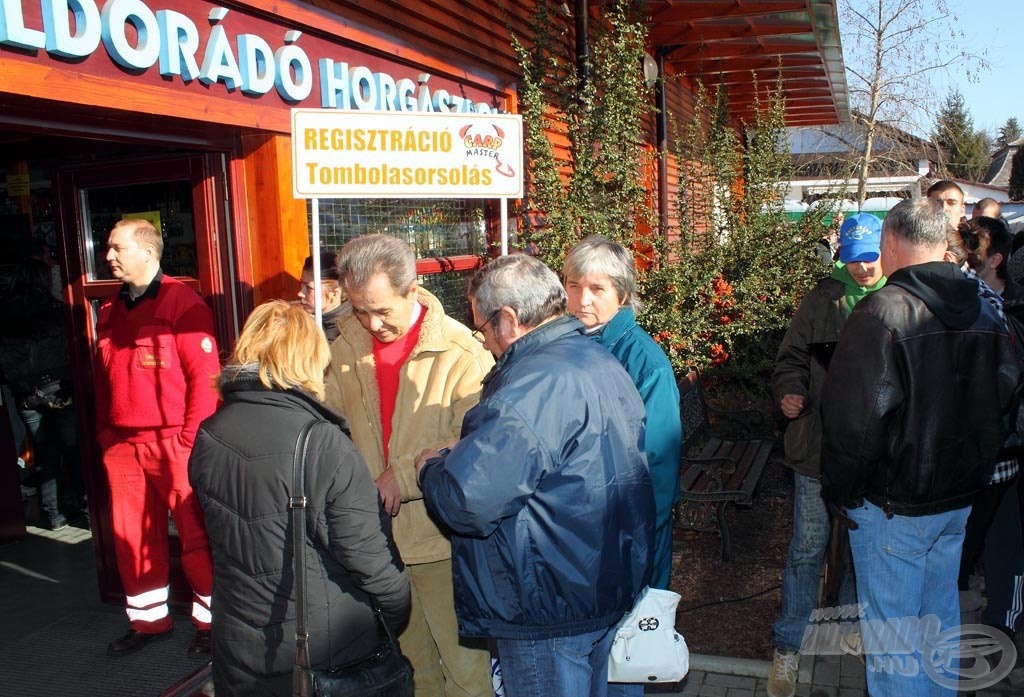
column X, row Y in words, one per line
column 241, row 469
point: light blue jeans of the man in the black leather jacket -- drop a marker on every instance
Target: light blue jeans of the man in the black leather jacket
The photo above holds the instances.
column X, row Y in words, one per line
column 907, row 569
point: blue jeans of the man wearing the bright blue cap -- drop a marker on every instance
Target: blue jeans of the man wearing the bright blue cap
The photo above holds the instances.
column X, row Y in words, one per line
column 802, row 578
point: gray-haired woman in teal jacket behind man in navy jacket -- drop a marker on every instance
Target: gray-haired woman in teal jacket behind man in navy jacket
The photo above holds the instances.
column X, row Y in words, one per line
column 601, row 283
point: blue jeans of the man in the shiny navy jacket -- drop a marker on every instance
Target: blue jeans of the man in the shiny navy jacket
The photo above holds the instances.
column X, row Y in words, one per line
column 576, row 667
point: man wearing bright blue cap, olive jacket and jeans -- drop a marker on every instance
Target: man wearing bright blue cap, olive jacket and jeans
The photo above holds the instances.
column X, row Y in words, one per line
column 800, row 372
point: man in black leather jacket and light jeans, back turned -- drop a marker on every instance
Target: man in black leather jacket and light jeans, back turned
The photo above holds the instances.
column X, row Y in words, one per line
column 915, row 409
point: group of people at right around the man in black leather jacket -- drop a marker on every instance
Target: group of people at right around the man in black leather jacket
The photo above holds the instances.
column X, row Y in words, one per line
column 901, row 377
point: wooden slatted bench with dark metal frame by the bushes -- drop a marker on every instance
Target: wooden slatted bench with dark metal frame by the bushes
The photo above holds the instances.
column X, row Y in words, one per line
column 717, row 470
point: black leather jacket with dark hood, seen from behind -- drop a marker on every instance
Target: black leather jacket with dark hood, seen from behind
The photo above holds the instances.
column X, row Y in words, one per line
column 917, row 396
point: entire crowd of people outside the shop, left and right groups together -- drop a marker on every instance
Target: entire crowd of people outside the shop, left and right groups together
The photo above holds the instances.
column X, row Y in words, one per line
column 501, row 495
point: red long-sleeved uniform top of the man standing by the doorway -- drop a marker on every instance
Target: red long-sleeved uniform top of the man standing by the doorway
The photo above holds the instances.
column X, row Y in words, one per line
column 156, row 367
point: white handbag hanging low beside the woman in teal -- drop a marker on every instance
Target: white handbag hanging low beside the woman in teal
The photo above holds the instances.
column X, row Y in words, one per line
column 648, row 648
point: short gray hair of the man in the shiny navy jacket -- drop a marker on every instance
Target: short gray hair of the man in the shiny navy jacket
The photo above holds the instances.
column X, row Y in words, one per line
column 524, row 284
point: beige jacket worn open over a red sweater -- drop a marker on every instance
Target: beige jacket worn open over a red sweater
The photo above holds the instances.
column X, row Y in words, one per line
column 440, row 383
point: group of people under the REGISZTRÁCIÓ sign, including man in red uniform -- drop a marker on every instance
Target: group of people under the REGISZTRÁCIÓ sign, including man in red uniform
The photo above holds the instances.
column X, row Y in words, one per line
column 440, row 470
